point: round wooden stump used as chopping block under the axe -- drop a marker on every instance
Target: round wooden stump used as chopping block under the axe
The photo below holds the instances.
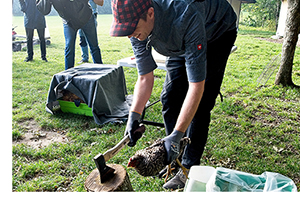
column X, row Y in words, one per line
column 119, row 182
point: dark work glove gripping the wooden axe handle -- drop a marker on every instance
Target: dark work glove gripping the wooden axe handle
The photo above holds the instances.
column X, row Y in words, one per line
column 132, row 126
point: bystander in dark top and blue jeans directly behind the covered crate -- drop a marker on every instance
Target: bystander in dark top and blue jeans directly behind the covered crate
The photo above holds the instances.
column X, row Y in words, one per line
column 76, row 14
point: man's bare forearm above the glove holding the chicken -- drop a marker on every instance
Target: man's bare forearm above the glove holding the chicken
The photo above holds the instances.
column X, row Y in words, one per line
column 190, row 105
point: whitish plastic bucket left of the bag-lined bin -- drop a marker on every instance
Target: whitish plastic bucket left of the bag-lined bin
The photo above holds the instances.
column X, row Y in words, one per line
column 198, row 177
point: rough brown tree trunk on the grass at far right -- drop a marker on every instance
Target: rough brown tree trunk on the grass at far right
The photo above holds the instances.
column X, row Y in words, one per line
column 292, row 28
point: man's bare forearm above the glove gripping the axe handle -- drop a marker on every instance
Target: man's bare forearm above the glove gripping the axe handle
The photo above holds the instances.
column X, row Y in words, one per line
column 142, row 92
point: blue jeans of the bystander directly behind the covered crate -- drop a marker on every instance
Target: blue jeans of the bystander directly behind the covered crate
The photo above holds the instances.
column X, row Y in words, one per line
column 89, row 30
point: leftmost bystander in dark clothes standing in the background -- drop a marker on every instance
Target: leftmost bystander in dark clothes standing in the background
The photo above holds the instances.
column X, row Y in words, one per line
column 33, row 19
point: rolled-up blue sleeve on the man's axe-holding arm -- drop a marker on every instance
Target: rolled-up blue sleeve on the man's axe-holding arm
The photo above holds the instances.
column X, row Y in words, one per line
column 144, row 60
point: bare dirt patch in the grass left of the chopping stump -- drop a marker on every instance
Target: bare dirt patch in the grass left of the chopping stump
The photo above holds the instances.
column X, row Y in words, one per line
column 37, row 137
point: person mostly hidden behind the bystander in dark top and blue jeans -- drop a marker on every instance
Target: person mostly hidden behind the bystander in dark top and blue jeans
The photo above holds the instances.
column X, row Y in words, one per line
column 83, row 42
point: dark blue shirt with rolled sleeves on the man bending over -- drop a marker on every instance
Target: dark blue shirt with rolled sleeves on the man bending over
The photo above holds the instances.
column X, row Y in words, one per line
column 183, row 28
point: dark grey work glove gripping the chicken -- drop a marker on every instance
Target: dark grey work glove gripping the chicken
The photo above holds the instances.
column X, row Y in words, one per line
column 172, row 145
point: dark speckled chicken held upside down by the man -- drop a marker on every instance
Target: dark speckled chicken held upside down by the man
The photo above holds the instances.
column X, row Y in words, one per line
column 151, row 160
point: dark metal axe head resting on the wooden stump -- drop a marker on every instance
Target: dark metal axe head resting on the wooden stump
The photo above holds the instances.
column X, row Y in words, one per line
column 105, row 171
